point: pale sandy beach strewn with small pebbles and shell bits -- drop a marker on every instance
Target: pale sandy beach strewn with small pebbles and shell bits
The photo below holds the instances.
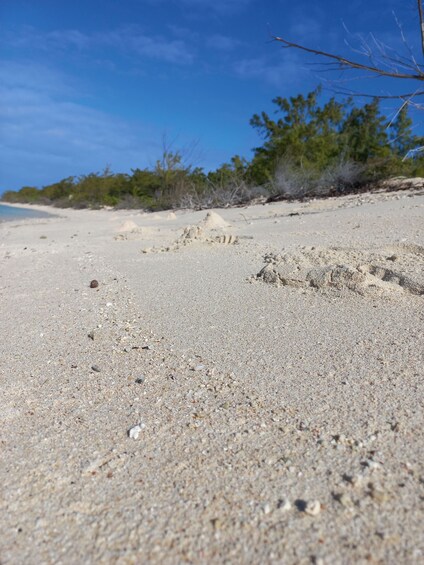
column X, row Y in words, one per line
column 242, row 386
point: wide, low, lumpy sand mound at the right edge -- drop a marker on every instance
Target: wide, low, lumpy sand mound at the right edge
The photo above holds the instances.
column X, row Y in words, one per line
column 363, row 272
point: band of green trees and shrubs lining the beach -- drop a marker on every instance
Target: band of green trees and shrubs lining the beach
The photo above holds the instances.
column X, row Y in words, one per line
column 308, row 150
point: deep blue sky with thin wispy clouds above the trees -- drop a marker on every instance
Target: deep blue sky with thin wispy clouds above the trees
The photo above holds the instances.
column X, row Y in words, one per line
column 85, row 84
